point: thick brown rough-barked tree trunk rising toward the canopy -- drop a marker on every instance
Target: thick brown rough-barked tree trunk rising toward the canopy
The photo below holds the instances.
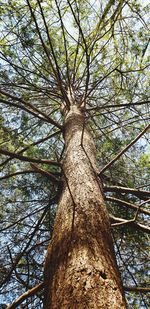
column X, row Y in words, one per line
column 80, row 269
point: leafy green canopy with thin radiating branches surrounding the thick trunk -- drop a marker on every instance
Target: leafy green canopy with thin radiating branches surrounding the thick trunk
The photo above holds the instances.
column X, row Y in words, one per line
column 96, row 52
